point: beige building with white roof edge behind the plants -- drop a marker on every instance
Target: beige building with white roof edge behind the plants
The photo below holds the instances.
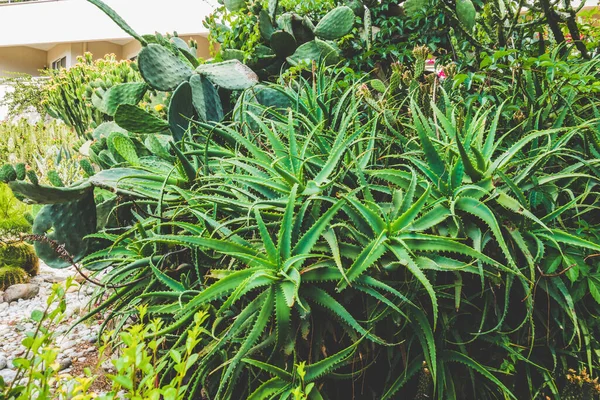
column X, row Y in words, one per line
column 35, row 35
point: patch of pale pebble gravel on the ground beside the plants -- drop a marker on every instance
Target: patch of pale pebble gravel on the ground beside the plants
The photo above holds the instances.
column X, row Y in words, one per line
column 15, row 322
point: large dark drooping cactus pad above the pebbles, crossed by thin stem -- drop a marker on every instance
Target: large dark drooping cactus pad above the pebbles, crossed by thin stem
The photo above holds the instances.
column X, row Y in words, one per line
column 67, row 224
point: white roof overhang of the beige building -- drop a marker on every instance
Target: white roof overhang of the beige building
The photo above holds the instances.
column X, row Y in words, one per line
column 37, row 24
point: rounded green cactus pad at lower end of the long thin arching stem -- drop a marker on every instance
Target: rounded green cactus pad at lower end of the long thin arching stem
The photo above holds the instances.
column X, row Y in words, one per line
column 162, row 69
